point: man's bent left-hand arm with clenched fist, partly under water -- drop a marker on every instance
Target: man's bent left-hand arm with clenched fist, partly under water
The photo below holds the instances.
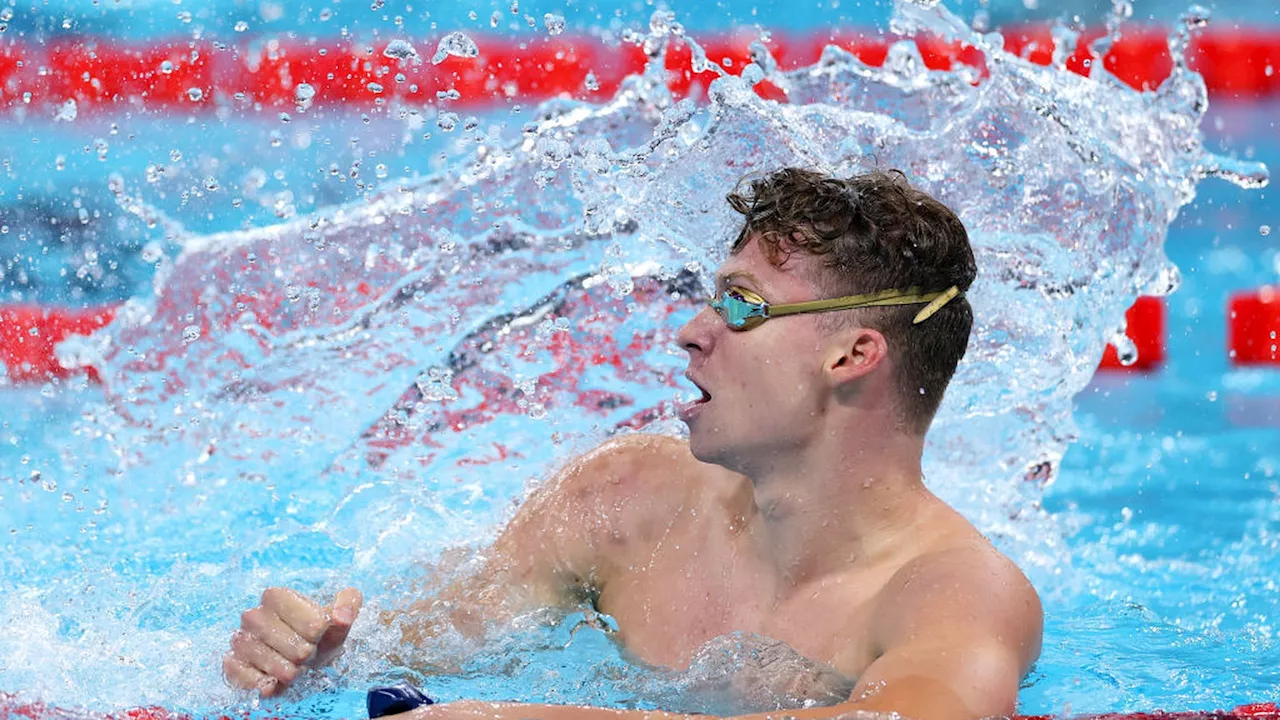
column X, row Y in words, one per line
column 559, row 543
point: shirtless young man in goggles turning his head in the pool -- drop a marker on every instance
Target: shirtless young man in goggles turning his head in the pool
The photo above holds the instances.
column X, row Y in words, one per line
column 797, row 511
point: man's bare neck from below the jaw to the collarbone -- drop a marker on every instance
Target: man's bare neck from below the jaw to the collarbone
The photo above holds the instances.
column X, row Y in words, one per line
column 839, row 504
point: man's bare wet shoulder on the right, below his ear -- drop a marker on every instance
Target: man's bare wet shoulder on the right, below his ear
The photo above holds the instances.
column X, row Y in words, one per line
column 964, row 591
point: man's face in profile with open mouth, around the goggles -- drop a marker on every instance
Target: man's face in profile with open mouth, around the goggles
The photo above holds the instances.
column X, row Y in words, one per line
column 764, row 390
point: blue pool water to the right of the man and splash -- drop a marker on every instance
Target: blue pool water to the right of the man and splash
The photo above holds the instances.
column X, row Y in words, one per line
column 1173, row 491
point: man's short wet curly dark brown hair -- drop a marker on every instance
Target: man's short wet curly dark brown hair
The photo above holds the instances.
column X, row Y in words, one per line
column 874, row 233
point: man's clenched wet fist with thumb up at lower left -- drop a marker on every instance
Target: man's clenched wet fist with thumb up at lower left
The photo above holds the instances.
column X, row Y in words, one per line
column 285, row 635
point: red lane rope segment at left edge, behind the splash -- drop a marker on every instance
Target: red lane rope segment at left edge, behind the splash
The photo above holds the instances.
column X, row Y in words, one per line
column 29, row 335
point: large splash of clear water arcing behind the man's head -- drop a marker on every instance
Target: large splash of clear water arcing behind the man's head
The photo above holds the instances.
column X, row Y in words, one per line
column 367, row 386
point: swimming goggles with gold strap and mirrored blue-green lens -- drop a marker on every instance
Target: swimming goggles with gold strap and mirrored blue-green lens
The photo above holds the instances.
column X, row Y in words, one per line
column 743, row 309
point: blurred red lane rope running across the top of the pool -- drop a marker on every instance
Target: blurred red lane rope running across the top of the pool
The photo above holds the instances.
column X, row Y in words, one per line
column 104, row 76
